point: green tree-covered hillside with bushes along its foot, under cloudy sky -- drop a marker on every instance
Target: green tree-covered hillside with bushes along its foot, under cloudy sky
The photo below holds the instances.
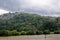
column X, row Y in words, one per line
column 28, row 24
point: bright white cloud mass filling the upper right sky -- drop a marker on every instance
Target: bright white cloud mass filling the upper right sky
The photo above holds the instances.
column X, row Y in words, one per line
column 53, row 5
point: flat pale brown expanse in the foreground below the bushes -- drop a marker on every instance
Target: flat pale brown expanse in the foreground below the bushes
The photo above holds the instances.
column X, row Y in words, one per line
column 33, row 37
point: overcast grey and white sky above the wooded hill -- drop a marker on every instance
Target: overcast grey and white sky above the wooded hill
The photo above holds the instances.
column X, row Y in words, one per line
column 42, row 7
